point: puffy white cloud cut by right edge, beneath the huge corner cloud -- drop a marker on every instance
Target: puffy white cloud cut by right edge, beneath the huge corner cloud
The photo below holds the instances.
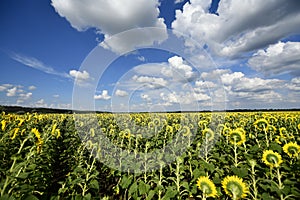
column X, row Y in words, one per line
column 277, row 59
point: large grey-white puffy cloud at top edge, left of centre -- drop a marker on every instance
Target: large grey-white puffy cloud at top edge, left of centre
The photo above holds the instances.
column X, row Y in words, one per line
column 111, row 17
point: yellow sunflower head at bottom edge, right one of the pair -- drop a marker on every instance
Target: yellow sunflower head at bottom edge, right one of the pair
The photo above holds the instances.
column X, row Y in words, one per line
column 235, row 187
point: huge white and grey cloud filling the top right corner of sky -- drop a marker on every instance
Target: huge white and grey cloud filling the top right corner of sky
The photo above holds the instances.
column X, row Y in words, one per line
column 241, row 26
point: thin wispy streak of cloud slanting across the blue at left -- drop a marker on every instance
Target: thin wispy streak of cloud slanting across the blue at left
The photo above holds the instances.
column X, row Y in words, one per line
column 37, row 64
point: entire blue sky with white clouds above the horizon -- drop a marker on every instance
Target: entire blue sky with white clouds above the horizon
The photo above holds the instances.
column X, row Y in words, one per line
column 199, row 55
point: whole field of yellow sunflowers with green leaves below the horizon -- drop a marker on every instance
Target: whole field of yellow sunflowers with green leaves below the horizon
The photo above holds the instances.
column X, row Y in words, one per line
column 245, row 155
